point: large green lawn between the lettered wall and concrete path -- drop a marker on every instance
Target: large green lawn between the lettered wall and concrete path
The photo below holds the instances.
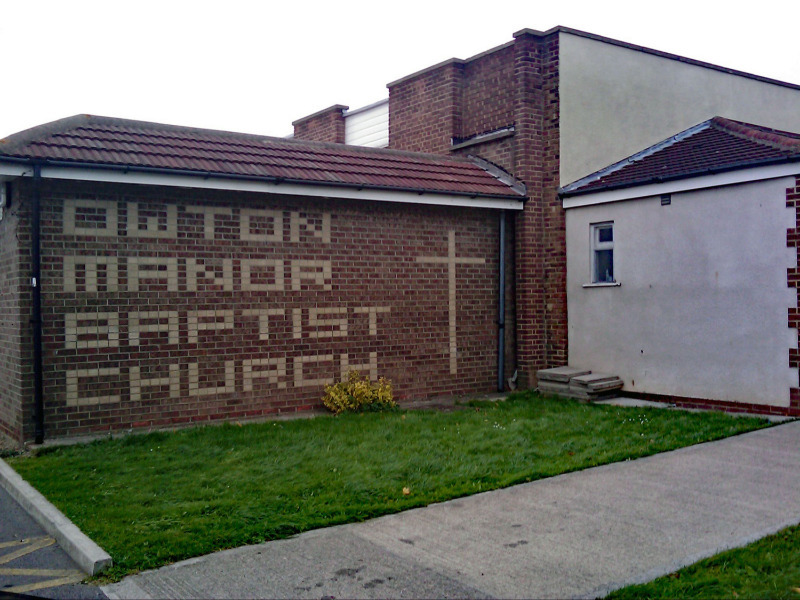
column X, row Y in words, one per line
column 157, row 498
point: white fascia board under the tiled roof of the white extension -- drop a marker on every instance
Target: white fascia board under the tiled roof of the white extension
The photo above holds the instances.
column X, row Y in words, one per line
column 684, row 185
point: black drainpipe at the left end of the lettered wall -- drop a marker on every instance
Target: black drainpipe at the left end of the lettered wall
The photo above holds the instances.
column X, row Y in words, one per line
column 36, row 317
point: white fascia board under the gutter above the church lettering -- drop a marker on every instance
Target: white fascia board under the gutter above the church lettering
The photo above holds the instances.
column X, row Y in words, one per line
column 290, row 189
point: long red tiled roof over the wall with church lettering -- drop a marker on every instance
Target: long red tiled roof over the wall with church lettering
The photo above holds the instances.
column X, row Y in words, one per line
column 103, row 142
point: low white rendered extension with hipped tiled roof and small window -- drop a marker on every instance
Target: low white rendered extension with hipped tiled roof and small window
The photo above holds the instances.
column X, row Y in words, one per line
column 677, row 263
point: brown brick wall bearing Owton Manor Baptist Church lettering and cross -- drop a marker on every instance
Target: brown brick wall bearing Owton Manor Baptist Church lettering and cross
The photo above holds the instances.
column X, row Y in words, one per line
column 164, row 306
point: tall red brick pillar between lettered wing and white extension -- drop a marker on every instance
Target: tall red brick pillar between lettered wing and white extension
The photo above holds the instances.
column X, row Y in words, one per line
column 540, row 242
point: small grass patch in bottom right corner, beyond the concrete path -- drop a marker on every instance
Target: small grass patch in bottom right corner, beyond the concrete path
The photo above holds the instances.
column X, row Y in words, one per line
column 768, row 568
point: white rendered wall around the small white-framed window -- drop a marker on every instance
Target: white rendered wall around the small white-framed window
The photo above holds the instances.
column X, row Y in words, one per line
column 702, row 306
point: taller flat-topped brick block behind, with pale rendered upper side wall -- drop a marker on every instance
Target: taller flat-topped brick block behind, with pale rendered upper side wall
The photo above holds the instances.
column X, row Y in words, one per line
column 550, row 107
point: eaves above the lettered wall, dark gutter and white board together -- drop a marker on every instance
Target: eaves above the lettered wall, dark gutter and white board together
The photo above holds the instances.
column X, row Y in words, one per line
column 11, row 167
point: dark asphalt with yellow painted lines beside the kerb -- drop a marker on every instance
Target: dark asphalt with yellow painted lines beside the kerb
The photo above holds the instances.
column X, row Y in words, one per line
column 31, row 562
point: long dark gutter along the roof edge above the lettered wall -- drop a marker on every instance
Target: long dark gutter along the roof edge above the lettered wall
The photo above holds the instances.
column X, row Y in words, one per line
column 207, row 175
